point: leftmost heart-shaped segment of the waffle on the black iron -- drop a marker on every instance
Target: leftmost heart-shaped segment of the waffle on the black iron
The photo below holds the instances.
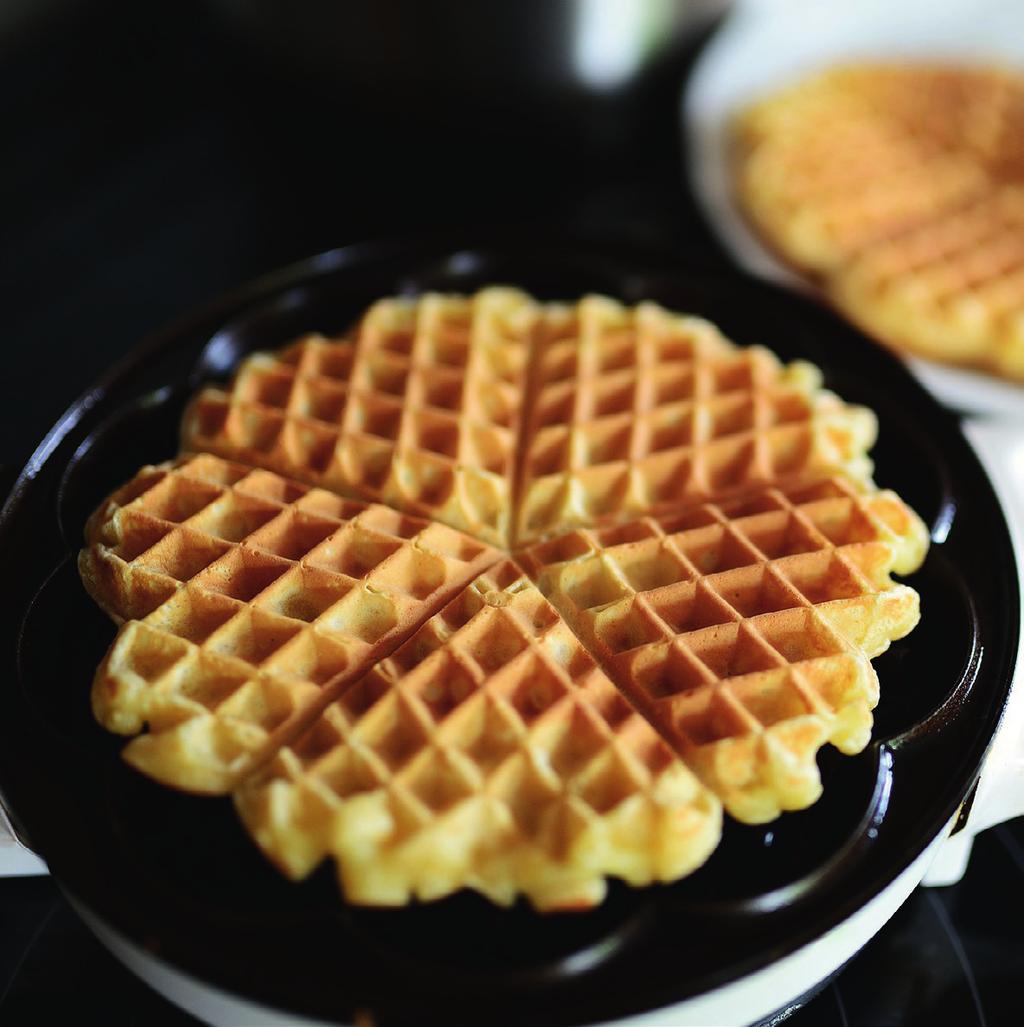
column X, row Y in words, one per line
column 250, row 602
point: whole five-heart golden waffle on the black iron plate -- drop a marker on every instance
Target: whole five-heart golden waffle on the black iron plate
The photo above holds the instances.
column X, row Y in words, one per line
column 503, row 595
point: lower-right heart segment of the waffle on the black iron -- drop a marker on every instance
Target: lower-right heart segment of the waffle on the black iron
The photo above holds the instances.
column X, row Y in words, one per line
column 744, row 631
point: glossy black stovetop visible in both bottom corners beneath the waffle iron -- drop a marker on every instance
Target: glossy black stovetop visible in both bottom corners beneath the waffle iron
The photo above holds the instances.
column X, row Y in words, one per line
column 951, row 958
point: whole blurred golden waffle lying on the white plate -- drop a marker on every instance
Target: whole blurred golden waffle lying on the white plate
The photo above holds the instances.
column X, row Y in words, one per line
column 900, row 186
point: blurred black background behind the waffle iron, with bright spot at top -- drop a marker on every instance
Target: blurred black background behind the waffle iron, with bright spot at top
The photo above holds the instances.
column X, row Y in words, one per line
column 159, row 155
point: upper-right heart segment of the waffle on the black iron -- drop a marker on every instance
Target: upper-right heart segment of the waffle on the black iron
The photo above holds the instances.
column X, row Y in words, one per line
column 635, row 409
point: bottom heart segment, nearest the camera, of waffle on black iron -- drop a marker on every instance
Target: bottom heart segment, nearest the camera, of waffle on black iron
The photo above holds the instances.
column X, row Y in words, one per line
column 488, row 752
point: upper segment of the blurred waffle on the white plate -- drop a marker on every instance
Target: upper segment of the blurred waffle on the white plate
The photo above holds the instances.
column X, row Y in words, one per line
column 854, row 155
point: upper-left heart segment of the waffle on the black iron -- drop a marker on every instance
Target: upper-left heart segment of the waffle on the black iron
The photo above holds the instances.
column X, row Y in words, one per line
column 419, row 409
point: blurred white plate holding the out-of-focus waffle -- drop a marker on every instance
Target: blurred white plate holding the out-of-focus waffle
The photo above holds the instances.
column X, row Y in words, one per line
column 767, row 44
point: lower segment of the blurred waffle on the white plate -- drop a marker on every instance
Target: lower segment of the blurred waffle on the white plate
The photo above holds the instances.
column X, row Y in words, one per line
column 952, row 289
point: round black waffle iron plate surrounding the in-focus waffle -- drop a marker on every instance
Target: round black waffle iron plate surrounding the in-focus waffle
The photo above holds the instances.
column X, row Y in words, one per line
column 178, row 876
